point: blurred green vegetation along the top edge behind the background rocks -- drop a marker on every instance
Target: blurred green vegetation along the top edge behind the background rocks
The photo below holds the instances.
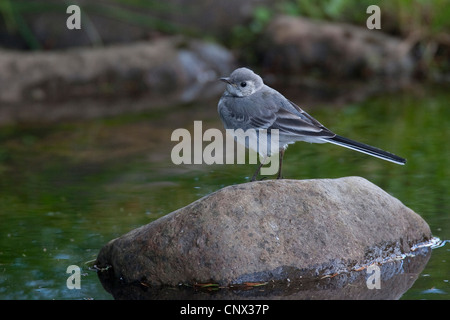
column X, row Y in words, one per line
column 425, row 24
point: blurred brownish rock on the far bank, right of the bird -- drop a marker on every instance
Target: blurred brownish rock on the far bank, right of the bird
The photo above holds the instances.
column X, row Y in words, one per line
column 298, row 45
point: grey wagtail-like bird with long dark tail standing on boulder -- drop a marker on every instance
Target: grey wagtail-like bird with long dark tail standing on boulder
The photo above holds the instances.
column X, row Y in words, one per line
column 247, row 103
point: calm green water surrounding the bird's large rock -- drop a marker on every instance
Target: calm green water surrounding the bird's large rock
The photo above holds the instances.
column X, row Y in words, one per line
column 67, row 189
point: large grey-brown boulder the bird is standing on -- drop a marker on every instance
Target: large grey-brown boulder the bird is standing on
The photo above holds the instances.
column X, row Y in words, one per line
column 268, row 230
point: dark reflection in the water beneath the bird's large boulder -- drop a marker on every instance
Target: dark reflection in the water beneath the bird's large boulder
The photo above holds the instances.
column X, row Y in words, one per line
column 396, row 277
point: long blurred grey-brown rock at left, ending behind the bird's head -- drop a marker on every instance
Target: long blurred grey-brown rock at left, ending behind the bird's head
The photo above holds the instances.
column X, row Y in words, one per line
column 163, row 67
